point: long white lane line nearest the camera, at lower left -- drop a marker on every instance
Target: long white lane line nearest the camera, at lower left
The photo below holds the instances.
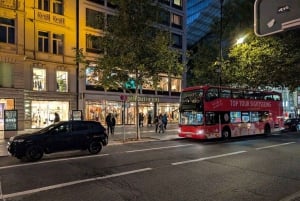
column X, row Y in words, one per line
column 56, row 186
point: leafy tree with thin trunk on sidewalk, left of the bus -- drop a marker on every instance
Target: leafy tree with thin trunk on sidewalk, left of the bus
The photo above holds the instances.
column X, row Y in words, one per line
column 136, row 47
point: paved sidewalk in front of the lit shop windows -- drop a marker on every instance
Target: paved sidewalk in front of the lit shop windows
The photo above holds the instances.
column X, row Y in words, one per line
column 126, row 134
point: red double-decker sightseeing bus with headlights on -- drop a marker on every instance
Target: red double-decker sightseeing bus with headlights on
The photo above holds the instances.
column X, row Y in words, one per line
column 219, row 112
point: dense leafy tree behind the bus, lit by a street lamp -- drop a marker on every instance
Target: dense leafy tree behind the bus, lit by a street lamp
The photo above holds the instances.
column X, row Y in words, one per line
column 258, row 62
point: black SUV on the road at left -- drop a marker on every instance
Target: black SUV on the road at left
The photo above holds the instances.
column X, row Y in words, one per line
column 60, row 136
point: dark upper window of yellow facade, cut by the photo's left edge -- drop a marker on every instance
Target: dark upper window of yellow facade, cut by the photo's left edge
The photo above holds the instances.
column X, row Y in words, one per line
column 7, row 30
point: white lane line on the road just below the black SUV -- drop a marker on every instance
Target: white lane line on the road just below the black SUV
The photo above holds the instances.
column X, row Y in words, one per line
column 52, row 161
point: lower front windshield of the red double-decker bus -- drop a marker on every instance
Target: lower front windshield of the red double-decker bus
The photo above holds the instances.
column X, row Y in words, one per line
column 191, row 118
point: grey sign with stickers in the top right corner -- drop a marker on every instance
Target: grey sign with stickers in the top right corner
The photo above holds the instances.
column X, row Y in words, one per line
column 274, row 16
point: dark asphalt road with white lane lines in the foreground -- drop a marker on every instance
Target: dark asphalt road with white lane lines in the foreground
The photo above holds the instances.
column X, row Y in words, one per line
column 248, row 169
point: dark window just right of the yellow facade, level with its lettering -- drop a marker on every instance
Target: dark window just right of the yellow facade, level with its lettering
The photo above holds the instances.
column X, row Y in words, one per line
column 94, row 19
